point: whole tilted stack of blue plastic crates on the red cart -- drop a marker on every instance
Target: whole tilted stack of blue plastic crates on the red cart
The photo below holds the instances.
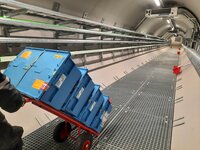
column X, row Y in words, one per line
column 52, row 77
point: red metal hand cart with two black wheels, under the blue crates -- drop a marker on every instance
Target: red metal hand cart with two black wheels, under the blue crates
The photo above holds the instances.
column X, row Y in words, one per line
column 63, row 129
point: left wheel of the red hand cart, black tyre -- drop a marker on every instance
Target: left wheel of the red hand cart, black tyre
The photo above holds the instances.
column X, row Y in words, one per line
column 62, row 131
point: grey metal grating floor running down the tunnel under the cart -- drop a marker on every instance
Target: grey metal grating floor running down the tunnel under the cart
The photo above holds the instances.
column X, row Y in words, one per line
column 142, row 116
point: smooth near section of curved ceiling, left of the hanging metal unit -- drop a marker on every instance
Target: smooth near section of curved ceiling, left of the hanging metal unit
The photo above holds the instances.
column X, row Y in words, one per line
column 123, row 13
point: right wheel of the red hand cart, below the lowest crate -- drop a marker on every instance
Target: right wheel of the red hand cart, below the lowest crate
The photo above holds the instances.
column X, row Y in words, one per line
column 84, row 141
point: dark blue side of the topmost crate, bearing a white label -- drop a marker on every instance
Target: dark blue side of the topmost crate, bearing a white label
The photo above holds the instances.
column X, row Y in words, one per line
column 63, row 86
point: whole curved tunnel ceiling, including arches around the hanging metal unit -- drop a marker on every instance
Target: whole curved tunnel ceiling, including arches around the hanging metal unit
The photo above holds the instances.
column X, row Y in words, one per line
column 125, row 13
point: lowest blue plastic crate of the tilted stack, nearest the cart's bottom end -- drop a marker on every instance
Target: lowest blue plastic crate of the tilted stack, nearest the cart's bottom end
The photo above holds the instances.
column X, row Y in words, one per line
column 102, row 116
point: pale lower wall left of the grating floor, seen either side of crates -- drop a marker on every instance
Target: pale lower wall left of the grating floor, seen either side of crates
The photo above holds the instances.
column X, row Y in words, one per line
column 31, row 117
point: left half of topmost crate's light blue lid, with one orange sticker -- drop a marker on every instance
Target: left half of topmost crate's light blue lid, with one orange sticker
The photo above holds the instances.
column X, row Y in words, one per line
column 22, row 63
